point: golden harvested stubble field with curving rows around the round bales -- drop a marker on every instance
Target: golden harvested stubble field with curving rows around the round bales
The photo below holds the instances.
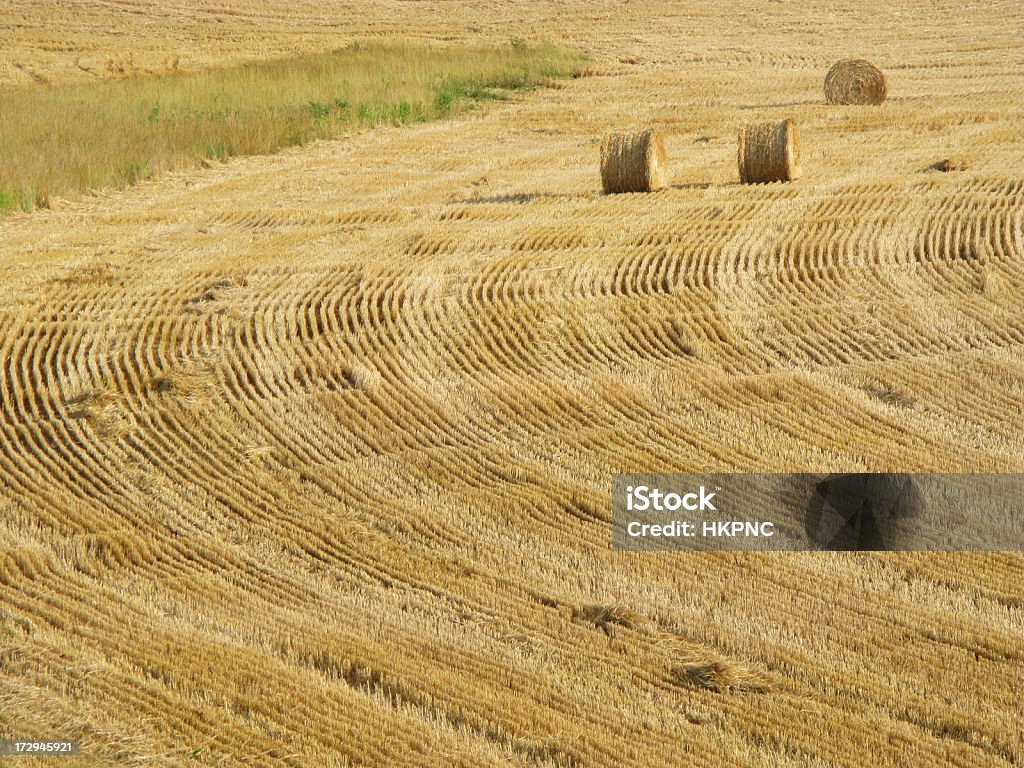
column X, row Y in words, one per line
column 306, row 458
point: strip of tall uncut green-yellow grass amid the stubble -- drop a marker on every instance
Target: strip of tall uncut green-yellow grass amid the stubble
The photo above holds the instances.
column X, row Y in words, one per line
column 65, row 141
